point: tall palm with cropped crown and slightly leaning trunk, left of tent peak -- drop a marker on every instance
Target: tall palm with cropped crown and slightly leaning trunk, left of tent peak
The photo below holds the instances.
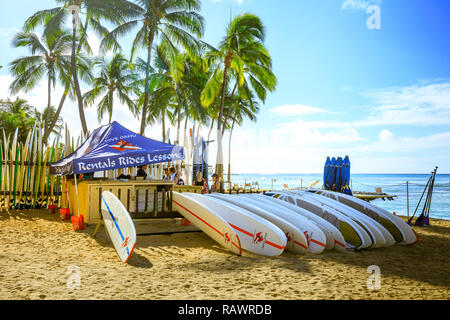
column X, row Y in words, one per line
column 113, row 11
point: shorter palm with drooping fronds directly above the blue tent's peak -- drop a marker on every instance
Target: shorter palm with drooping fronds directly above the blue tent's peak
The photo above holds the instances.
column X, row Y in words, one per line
column 115, row 78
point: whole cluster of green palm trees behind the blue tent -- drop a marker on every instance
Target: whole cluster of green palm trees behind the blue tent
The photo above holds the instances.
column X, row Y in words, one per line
column 182, row 79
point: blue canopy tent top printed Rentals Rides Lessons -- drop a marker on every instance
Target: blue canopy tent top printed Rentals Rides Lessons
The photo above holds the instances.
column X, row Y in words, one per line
column 113, row 147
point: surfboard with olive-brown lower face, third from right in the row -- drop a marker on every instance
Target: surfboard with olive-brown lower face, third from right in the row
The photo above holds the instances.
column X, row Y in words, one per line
column 354, row 235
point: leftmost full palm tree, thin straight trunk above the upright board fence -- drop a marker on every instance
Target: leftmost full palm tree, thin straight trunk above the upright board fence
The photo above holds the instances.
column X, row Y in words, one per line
column 49, row 57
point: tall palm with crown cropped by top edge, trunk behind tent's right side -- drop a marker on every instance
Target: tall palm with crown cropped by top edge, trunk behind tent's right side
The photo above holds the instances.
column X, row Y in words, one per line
column 171, row 20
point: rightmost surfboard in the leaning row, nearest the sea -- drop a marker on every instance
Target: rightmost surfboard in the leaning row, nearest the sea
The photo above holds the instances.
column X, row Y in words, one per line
column 400, row 230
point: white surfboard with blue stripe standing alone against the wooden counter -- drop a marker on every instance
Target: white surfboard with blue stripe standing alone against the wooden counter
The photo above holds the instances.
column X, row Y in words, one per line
column 119, row 225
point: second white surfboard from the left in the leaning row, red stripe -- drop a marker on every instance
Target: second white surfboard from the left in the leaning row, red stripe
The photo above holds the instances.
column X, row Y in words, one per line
column 257, row 235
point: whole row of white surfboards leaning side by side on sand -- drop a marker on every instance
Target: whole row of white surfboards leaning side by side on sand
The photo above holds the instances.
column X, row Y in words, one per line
column 299, row 222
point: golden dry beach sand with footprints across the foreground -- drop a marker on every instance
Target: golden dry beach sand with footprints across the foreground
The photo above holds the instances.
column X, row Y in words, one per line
column 38, row 253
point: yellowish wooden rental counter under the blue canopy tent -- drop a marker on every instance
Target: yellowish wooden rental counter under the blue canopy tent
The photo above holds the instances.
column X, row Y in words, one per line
column 142, row 198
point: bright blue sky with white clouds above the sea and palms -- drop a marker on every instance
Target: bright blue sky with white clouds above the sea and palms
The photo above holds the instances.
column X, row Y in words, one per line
column 380, row 96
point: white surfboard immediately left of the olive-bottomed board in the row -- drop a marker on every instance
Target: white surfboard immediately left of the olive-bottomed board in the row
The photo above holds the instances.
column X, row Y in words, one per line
column 335, row 239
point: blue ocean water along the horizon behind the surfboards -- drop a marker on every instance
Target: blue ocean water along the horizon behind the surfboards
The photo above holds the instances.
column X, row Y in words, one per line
column 393, row 184
